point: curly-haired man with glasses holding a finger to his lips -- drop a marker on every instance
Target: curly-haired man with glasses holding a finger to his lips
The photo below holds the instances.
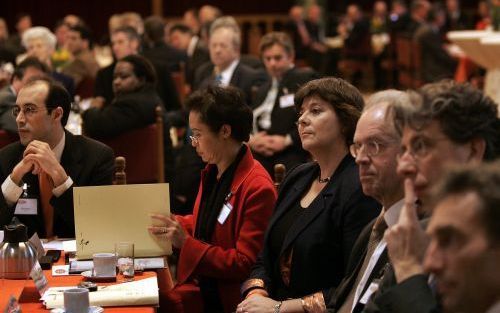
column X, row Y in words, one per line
column 449, row 124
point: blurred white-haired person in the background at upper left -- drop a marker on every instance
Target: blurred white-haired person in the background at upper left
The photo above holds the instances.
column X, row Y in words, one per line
column 40, row 42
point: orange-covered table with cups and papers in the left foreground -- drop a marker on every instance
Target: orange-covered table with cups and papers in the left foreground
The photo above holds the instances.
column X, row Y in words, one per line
column 28, row 295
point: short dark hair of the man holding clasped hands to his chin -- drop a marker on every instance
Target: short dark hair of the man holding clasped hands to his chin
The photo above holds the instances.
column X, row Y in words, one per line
column 57, row 96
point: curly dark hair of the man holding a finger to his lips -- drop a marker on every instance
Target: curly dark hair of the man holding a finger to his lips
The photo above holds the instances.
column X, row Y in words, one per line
column 463, row 112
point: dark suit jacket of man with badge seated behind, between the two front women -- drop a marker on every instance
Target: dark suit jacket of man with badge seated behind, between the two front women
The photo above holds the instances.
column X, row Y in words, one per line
column 283, row 118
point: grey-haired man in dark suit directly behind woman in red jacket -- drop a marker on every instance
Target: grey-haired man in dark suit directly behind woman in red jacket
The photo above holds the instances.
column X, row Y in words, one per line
column 226, row 68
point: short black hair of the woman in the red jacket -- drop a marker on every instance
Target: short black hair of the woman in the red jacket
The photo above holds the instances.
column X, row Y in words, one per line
column 223, row 105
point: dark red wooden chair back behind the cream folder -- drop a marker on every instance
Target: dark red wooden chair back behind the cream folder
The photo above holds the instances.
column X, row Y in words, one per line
column 143, row 150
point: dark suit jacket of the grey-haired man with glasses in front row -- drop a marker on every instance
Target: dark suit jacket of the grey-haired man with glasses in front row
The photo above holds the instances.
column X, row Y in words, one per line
column 354, row 266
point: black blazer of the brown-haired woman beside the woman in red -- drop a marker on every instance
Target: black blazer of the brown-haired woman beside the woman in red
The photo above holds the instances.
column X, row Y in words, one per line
column 323, row 237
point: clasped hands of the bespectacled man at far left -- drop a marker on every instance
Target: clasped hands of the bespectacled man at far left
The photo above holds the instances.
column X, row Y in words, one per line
column 38, row 157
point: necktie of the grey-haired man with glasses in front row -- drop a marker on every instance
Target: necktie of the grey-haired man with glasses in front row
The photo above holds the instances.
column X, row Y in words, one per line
column 376, row 236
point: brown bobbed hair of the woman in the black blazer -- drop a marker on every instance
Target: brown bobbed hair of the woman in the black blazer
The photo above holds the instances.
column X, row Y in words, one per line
column 345, row 99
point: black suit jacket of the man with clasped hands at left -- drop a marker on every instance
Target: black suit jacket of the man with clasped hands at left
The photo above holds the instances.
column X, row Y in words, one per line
column 86, row 161
